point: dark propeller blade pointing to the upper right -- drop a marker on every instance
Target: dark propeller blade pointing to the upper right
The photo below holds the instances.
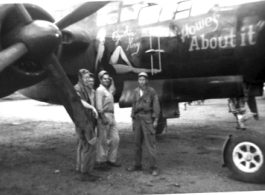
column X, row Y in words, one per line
column 80, row 13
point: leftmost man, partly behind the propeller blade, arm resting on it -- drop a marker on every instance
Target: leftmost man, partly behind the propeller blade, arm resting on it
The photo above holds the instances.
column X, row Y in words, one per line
column 86, row 152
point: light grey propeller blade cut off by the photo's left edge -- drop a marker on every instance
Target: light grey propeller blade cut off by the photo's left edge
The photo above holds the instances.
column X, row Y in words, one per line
column 11, row 54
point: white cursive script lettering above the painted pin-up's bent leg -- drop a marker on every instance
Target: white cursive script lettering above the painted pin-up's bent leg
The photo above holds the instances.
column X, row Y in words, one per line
column 127, row 36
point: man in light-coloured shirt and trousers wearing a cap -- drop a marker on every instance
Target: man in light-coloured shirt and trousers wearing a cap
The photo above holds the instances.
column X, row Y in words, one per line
column 108, row 134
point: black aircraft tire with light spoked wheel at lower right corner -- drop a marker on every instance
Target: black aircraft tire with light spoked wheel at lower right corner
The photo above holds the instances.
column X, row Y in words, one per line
column 245, row 156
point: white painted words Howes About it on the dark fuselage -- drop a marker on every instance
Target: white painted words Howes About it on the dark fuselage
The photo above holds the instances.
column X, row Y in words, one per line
column 208, row 33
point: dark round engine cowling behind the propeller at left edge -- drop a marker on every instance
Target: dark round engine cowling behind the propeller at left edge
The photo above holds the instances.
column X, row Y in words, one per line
column 27, row 70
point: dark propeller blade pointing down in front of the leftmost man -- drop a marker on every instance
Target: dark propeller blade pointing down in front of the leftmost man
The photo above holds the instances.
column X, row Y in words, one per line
column 67, row 94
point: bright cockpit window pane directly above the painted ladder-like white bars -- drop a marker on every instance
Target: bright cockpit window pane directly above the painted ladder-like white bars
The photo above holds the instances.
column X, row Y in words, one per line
column 149, row 20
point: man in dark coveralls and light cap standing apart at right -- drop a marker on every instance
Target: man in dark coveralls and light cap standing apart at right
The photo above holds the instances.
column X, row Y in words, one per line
column 145, row 113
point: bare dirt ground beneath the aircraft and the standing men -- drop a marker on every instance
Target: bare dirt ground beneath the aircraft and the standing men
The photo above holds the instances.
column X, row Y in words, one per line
column 38, row 145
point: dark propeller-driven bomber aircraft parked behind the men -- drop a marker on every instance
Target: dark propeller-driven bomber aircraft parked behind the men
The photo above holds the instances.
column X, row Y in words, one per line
column 189, row 52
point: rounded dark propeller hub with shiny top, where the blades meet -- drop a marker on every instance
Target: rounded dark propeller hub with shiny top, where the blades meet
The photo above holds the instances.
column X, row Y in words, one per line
column 40, row 37
